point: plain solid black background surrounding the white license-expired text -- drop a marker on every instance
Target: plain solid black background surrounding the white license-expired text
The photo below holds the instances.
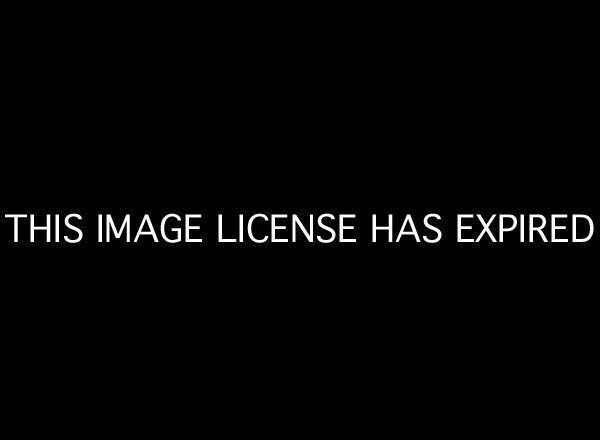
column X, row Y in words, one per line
column 368, row 113
